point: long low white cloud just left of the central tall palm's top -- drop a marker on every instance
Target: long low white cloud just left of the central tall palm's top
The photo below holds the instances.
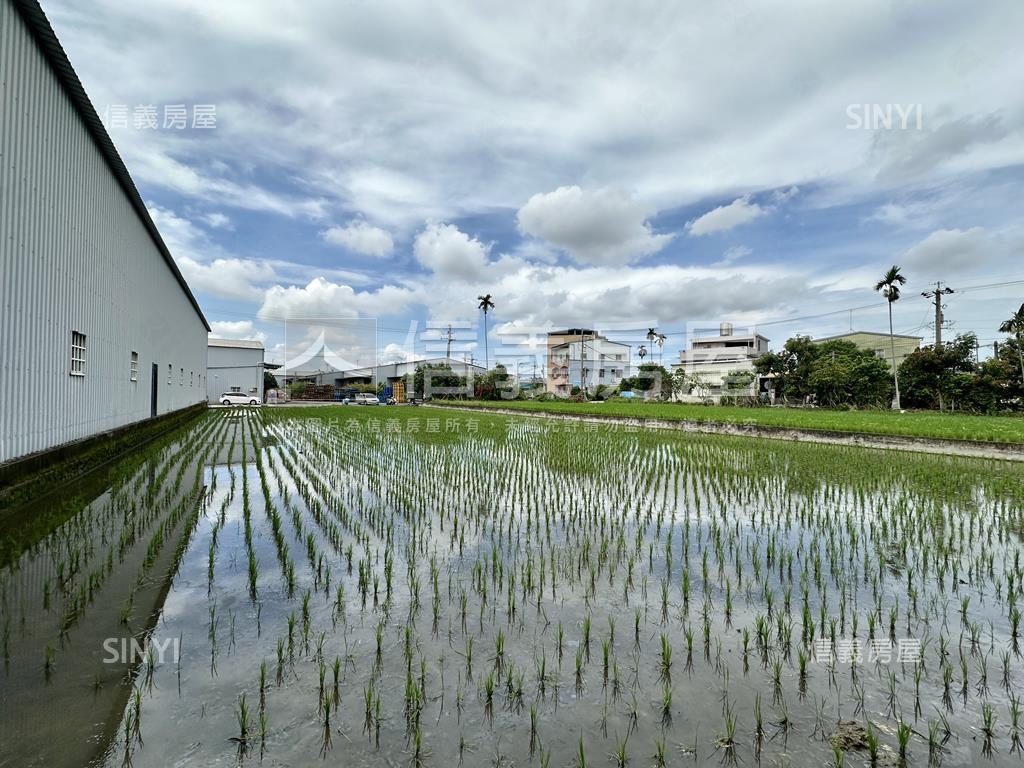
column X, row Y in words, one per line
column 324, row 300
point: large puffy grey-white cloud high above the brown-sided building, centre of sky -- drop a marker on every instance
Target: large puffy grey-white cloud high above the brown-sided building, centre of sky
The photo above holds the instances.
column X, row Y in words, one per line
column 606, row 227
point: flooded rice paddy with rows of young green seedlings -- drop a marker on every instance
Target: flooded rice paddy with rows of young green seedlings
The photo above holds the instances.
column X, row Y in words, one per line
column 419, row 587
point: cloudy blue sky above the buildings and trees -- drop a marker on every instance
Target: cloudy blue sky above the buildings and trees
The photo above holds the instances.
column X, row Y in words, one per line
column 603, row 164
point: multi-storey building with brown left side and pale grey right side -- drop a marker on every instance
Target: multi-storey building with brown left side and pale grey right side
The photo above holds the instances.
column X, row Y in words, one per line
column 585, row 360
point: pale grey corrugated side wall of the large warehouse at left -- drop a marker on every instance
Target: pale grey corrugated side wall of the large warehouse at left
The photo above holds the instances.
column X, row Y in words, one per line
column 75, row 257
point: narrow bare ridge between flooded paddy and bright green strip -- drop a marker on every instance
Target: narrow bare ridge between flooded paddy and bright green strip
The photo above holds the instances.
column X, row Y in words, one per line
column 890, row 443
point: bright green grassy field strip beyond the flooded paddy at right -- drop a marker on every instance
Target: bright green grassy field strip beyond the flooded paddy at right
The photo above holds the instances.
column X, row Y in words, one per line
column 1002, row 430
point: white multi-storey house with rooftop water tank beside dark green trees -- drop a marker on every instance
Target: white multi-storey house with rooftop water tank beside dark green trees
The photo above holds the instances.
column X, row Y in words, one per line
column 711, row 362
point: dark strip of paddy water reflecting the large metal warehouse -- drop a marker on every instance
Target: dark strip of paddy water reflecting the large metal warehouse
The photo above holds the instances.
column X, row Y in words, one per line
column 96, row 582
